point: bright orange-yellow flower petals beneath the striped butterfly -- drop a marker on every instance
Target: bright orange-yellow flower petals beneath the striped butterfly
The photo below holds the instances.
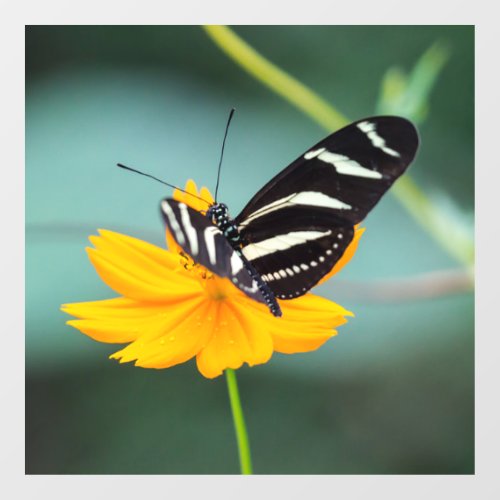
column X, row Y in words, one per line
column 172, row 309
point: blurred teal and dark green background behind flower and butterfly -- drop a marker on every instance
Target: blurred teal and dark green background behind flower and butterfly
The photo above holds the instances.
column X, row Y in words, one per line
column 393, row 393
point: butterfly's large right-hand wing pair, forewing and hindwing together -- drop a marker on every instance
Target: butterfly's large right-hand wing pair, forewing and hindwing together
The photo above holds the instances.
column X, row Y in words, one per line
column 331, row 187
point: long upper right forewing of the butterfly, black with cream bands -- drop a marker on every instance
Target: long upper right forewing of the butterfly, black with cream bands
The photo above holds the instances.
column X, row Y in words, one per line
column 347, row 173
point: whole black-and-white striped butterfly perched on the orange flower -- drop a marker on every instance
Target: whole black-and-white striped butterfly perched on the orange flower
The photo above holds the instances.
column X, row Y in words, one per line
column 295, row 229
